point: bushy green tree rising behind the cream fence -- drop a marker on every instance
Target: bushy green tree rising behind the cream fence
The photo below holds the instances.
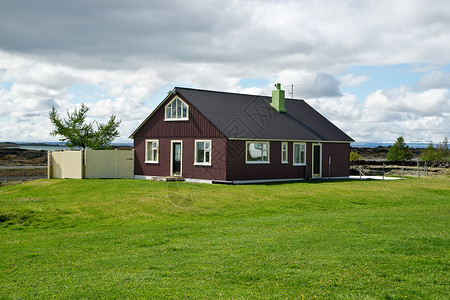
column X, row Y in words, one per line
column 75, row 132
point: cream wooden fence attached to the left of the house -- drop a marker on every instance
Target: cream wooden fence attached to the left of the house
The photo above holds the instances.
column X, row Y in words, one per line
column 91, row 164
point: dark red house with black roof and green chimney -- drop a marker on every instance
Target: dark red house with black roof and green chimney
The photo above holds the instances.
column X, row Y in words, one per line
column 224, row 137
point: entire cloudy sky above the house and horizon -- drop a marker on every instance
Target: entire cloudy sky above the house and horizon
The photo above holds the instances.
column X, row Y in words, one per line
column 377, row 69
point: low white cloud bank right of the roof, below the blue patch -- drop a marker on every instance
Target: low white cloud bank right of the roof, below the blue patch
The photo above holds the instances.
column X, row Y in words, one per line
column 387, row 114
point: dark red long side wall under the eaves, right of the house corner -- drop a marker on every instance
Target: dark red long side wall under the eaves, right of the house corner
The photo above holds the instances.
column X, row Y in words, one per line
column 238, row 169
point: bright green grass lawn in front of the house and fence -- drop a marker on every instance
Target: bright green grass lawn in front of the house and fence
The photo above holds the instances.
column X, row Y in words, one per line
column 115, row 239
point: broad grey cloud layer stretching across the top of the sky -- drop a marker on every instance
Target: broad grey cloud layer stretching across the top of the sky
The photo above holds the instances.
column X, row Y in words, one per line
column 295, row 34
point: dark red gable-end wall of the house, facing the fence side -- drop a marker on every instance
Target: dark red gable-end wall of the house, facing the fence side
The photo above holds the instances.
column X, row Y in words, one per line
column 197, row 127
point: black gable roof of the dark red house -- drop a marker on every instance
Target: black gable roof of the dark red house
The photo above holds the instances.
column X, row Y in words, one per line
column 251, row 117
